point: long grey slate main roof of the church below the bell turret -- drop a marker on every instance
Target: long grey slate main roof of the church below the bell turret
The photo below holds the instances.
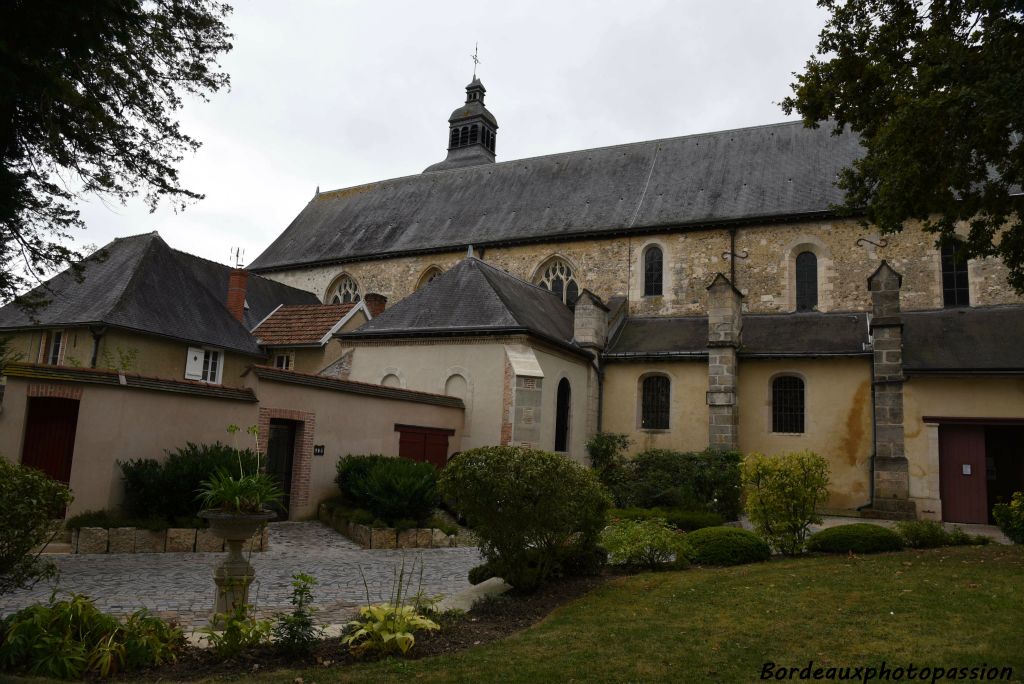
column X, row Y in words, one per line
column 761, row 174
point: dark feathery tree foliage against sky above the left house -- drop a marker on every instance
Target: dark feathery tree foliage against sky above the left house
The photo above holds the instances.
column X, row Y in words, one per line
column 88, row 94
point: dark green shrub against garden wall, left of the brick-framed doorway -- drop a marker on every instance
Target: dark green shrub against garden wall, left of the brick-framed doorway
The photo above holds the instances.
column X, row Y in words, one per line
column 169, row 490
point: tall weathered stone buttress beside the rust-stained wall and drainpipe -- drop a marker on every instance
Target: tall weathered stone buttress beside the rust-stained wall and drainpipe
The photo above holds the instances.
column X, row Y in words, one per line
column 892, row 480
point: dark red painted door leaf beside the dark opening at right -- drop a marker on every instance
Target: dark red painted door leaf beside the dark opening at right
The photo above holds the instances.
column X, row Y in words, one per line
column 962, row 474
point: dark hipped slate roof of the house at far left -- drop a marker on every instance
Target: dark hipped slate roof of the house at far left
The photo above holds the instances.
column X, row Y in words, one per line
column 141, row 284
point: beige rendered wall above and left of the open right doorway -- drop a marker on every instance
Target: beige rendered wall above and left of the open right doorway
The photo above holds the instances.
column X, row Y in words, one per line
column 949, row 398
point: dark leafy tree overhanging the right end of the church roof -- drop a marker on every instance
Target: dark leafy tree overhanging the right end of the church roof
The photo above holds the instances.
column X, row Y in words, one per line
column 934, row 90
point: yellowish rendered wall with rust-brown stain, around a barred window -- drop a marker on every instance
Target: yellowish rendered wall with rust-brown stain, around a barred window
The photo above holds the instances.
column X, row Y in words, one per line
column 838, row 419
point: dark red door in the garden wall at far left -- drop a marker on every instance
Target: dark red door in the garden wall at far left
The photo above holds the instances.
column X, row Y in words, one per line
column 50, row 437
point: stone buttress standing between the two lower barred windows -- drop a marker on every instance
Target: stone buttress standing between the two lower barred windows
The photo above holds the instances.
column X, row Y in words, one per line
column 724, row 327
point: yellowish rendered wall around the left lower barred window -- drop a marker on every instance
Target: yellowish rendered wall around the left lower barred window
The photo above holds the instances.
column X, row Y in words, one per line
column 689, row 411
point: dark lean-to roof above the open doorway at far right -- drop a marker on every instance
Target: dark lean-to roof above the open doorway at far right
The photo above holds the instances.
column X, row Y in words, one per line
column 973, row 340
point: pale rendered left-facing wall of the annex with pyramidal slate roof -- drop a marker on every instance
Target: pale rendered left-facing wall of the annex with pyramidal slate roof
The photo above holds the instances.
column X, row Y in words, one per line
column 428, row 367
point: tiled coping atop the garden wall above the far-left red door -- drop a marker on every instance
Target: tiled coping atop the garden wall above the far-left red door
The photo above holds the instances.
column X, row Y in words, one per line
column 130, row 380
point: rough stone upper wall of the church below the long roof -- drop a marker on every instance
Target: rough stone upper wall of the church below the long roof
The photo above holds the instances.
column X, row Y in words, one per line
column 847, row 255
